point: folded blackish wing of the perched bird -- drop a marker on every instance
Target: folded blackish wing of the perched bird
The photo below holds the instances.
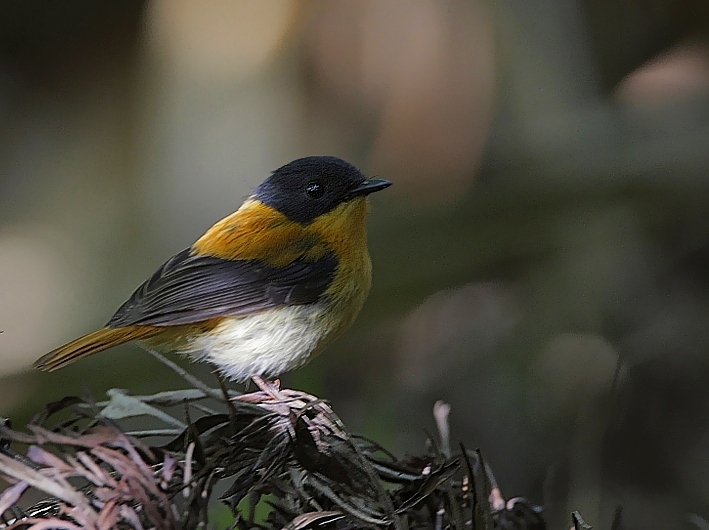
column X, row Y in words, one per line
column 189, row 289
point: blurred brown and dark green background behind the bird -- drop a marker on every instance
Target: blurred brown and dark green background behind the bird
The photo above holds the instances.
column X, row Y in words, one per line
column 541, row 262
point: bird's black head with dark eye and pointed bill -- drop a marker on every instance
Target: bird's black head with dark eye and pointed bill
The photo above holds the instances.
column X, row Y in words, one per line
column 309, row 187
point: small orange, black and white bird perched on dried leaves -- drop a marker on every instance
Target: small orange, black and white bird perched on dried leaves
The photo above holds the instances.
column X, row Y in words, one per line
column 262, row 291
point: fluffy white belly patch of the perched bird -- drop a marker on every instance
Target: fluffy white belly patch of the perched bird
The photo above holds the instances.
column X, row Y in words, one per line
column 267, row 344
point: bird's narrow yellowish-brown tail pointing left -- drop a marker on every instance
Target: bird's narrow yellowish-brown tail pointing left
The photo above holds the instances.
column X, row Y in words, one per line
column 94, row 342
